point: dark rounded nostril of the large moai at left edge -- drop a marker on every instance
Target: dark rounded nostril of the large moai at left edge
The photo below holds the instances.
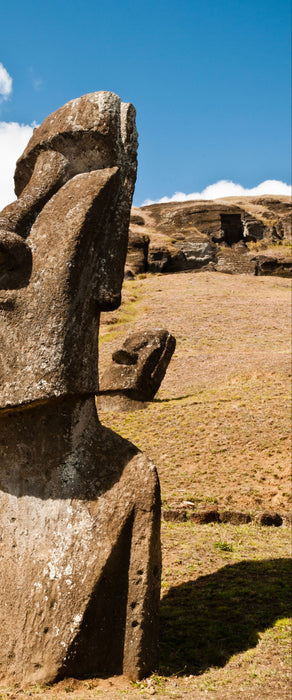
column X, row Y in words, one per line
column 15, row 261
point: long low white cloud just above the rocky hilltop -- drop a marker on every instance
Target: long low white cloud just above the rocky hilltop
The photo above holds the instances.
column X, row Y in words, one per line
column 227, row 188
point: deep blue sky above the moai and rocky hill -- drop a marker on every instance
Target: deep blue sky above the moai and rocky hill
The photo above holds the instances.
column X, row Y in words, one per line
column 210, row 82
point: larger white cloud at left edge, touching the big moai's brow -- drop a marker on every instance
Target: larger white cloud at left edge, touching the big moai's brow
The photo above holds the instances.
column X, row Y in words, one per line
column 13, row 139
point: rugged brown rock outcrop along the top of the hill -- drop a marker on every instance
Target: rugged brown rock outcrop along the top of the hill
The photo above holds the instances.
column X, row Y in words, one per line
column 210, row 235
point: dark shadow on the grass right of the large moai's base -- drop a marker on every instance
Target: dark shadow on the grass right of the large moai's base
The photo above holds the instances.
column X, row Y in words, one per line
column 205, row 622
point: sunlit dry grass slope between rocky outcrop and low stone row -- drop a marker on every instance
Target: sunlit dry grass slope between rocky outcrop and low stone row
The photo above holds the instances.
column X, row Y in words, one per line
column 219, row 428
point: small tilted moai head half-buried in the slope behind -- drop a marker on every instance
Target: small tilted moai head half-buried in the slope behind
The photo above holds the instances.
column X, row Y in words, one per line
column 139, row 366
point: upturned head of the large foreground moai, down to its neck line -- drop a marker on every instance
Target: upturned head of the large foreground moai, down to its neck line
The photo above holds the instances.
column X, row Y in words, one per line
column 63, row 245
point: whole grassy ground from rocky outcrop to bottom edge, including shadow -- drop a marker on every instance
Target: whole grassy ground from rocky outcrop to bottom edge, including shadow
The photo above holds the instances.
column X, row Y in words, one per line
column 219, row 433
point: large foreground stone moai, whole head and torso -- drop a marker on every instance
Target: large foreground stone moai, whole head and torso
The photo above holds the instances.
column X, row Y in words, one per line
column 79, row 505
